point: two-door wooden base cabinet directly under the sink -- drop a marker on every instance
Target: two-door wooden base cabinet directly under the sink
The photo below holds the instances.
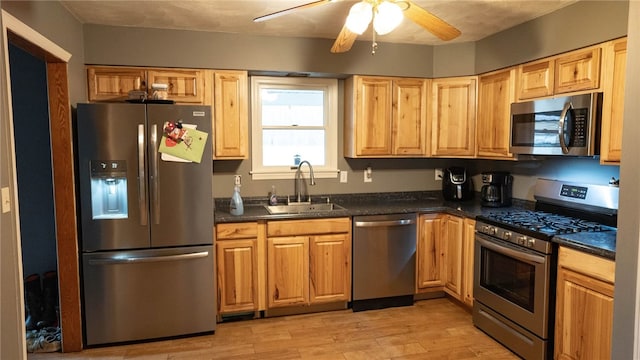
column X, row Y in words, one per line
column 308, row 262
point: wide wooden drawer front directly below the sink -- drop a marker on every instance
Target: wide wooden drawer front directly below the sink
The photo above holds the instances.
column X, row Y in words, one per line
column 308, row 227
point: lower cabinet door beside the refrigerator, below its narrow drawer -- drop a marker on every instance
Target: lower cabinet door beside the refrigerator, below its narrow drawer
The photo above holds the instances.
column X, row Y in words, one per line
column 237, row 275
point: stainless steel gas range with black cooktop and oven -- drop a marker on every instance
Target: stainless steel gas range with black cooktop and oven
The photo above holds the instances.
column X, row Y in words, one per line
column 516, row 260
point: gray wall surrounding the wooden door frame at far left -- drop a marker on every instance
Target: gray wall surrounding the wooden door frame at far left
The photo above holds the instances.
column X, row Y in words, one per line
column 54, row 22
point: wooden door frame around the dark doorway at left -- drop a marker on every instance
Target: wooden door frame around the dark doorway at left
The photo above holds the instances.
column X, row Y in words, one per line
column 56, row 59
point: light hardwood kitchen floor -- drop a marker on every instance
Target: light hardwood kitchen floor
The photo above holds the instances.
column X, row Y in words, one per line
column 431, row 329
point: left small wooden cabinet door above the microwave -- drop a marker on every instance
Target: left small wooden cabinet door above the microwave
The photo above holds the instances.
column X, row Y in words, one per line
column 535, row 79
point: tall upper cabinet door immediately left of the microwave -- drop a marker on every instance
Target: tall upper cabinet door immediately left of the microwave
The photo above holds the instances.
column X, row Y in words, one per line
column 496, row 92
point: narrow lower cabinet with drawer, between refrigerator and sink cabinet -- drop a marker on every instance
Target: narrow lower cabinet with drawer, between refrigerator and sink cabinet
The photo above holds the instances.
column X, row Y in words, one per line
column 240, row 252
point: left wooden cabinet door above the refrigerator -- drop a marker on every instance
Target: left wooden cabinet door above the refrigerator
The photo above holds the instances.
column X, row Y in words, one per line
column 114, row 83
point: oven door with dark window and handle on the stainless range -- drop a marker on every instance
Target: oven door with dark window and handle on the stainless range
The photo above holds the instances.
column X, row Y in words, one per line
column 514, row 282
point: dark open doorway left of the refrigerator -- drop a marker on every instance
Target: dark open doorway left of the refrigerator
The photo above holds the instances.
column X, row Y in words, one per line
column 34, row 172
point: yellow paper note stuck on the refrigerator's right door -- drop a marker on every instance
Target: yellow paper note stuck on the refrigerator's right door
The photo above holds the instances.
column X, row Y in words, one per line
column 186, row 144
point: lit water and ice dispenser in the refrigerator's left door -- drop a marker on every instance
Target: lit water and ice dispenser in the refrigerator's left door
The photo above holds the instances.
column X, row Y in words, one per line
column 109, row 189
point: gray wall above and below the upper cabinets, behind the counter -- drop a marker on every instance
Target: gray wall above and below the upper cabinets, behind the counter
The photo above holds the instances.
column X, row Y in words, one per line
column 149, row 47
